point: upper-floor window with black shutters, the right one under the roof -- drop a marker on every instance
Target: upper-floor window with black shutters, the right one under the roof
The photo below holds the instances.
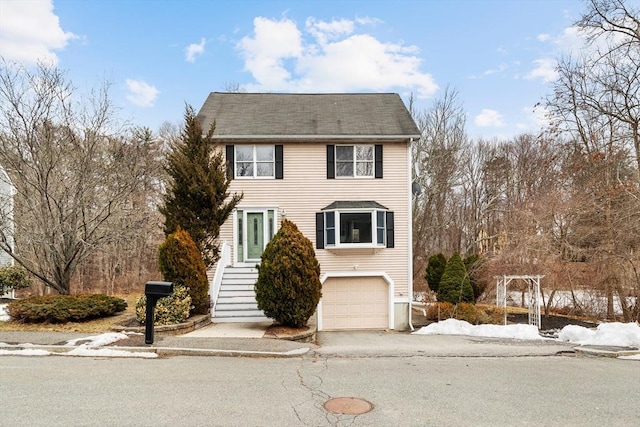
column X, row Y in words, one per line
column 354, row 161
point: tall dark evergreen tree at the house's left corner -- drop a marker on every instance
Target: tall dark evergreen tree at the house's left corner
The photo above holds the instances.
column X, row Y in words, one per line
column 198, row 199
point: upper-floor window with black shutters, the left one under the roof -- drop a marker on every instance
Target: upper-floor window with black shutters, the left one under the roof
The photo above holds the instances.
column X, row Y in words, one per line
column 254, row 161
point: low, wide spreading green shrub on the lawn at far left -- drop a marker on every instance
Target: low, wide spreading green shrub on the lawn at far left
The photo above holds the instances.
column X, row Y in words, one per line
column 64, row 308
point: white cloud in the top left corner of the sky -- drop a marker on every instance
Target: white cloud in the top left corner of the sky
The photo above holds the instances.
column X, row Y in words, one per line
column 31, row 32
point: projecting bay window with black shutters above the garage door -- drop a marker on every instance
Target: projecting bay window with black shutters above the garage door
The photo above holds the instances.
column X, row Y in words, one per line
column 354, row 225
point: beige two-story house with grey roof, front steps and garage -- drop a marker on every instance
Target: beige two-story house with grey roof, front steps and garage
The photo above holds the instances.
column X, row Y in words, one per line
column 338, row 166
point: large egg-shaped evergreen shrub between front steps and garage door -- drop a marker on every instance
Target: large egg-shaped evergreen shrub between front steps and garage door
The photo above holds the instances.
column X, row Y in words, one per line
column 288, row 288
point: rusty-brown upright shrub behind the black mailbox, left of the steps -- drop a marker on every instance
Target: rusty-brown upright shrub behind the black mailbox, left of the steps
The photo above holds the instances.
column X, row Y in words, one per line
column 181, row 263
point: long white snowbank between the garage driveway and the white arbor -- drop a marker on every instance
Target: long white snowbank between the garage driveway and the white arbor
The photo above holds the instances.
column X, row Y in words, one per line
column 460, row 327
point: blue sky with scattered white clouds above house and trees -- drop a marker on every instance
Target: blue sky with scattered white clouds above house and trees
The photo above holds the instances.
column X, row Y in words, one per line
column 499, row 55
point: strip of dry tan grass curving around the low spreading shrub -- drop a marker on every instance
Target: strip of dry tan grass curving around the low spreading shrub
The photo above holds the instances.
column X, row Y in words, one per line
column 92, row 326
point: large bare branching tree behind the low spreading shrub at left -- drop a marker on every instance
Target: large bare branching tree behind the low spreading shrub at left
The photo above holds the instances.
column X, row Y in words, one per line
column 74, row 168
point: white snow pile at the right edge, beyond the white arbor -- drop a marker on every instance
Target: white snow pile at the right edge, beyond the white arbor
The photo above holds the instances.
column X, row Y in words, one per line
column 610, row 334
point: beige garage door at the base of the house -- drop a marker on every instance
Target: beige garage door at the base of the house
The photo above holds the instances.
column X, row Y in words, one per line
column 355, row 303
